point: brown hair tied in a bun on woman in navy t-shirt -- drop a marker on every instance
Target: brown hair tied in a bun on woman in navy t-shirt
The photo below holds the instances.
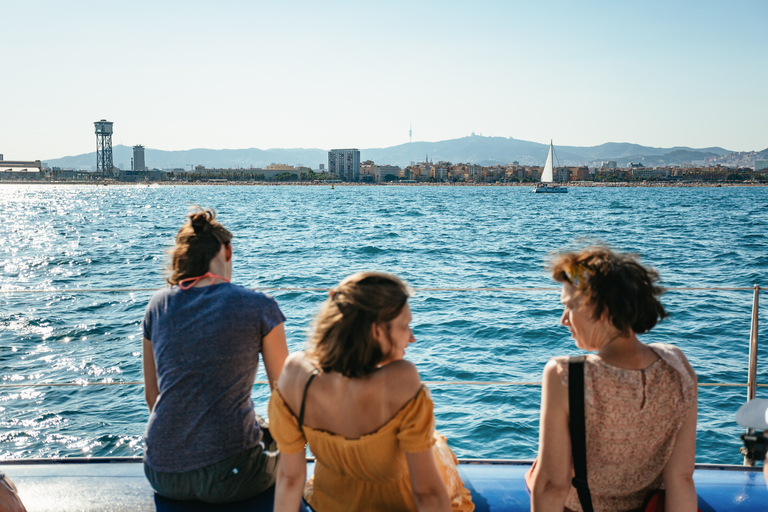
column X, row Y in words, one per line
column 197, row 243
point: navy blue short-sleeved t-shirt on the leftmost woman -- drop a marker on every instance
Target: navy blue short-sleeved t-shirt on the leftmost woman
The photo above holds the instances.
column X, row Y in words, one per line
column 206, row 343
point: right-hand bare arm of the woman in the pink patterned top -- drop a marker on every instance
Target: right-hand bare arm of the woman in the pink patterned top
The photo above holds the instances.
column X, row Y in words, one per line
column 678, row 473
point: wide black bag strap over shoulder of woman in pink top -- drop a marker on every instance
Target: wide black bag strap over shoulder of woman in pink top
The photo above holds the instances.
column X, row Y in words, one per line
column 578, row 430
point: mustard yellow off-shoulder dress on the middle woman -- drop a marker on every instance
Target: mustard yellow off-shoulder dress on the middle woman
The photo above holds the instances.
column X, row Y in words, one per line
column 371, row 472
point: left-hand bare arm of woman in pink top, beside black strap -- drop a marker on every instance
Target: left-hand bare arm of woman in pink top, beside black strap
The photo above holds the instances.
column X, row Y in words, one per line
column 550, row 478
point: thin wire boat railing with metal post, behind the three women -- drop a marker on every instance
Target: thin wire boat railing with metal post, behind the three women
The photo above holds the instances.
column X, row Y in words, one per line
column 751, row 383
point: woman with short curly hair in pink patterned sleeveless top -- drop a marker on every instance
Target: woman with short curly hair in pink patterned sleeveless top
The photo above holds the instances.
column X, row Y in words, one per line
column 639, row 400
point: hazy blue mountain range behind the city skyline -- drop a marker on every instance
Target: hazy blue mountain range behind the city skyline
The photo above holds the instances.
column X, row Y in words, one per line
column 474, row 149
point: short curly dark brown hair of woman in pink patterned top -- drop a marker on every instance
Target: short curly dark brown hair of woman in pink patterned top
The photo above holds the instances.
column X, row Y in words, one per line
column 616, row 283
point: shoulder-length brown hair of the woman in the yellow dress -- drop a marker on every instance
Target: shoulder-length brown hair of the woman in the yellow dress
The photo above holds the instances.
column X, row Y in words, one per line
column 343, row 339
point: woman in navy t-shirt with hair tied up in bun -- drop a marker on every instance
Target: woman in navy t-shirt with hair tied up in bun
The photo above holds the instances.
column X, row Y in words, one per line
column 202, row 340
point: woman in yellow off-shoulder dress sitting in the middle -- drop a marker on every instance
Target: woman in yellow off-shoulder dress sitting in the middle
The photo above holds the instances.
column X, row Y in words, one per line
column 363, row 410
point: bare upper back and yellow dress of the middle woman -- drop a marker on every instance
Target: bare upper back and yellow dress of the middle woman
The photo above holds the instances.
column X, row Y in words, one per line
column 359, row 431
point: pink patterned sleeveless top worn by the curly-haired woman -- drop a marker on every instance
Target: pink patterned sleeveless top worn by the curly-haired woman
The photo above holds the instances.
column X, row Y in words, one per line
column 632, row 420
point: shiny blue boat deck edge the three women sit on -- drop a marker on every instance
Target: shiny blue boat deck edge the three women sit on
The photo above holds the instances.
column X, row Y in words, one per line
column 117, row 485
